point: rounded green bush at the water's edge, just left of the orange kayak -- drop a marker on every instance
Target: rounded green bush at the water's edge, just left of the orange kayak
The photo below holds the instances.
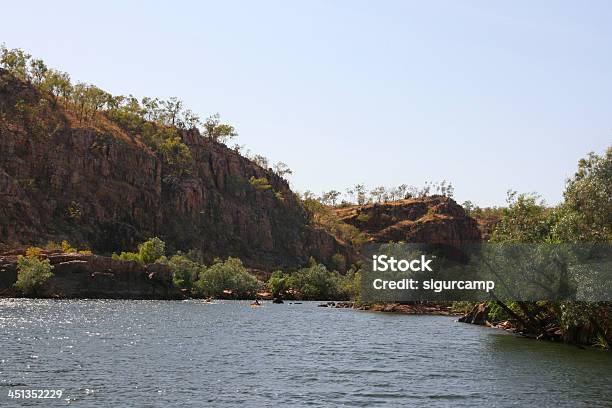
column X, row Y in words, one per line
column 224, row 278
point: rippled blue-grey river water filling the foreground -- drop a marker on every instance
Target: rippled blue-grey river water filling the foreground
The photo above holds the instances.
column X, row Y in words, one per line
column 157, row 353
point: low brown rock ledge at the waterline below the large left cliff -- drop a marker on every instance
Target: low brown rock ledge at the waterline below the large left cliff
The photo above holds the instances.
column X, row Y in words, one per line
column 95, row 277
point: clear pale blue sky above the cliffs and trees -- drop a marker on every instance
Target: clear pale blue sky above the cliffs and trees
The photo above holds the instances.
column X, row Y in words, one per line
column 489, row 95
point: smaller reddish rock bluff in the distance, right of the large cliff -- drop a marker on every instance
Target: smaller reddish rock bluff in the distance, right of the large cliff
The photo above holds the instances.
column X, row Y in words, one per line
column 433, row 220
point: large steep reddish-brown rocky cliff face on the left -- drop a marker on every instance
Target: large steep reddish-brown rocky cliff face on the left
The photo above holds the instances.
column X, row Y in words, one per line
column 100, row 186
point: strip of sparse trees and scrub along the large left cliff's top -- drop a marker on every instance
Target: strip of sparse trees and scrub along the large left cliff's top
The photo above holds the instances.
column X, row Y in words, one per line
column 159, row 123
